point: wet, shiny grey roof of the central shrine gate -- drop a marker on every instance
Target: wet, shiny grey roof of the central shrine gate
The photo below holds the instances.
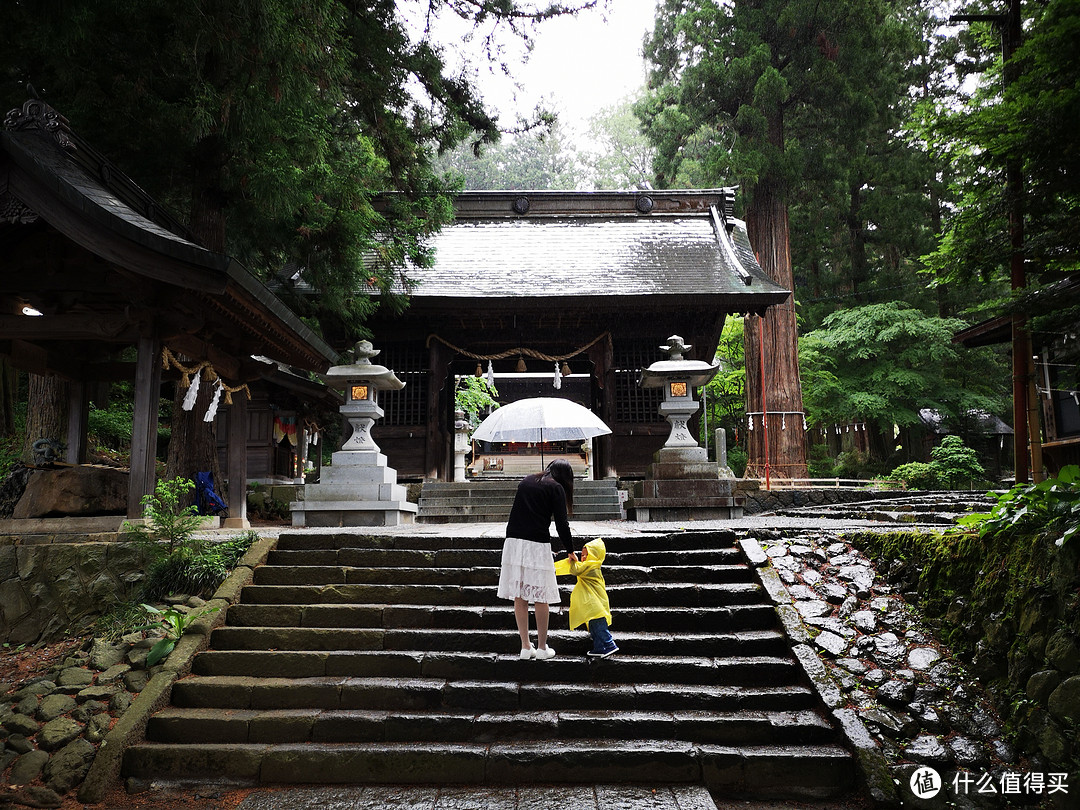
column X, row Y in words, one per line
column 611, row 250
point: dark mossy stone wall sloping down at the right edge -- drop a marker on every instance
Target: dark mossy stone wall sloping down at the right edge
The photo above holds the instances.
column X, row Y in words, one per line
column 1014, row 607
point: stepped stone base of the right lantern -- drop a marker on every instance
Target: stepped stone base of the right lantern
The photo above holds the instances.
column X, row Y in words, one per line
column 682, row 484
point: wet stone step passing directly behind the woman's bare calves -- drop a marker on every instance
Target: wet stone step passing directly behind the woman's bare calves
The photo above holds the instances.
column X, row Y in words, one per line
column 496, row 617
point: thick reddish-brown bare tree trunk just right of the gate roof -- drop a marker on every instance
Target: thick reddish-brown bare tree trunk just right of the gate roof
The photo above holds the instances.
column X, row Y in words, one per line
column 774, row 387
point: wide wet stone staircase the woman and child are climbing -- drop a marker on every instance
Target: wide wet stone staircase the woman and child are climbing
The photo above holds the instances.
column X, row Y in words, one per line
column 389, row 659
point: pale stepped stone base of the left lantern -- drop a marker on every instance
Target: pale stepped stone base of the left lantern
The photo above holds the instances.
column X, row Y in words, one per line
column 357, row 490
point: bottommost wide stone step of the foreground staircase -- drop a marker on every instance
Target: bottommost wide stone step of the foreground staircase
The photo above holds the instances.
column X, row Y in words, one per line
column 803, row 771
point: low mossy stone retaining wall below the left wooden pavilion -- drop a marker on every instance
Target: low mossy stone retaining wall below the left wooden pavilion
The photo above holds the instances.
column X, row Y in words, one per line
column 48, row 590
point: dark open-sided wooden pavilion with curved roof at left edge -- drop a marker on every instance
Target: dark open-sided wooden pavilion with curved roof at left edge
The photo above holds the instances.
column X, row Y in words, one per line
column 92, row 265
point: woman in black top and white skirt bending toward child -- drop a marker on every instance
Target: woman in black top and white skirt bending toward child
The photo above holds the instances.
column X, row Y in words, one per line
column 529, row 570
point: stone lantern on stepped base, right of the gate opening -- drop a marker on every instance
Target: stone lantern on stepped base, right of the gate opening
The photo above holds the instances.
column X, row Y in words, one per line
column 682, row 484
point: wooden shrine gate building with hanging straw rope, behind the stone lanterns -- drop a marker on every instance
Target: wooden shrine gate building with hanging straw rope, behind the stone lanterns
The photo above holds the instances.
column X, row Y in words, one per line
column 592, row 283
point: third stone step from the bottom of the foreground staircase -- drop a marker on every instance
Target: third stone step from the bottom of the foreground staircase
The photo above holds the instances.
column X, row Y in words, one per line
column 413, row 694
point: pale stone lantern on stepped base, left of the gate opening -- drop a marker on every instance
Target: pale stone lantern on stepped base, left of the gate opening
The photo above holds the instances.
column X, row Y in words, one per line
column 358, row 489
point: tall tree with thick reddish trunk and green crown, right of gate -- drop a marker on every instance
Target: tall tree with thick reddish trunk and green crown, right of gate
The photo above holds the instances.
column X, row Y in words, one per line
column 778, row 98
